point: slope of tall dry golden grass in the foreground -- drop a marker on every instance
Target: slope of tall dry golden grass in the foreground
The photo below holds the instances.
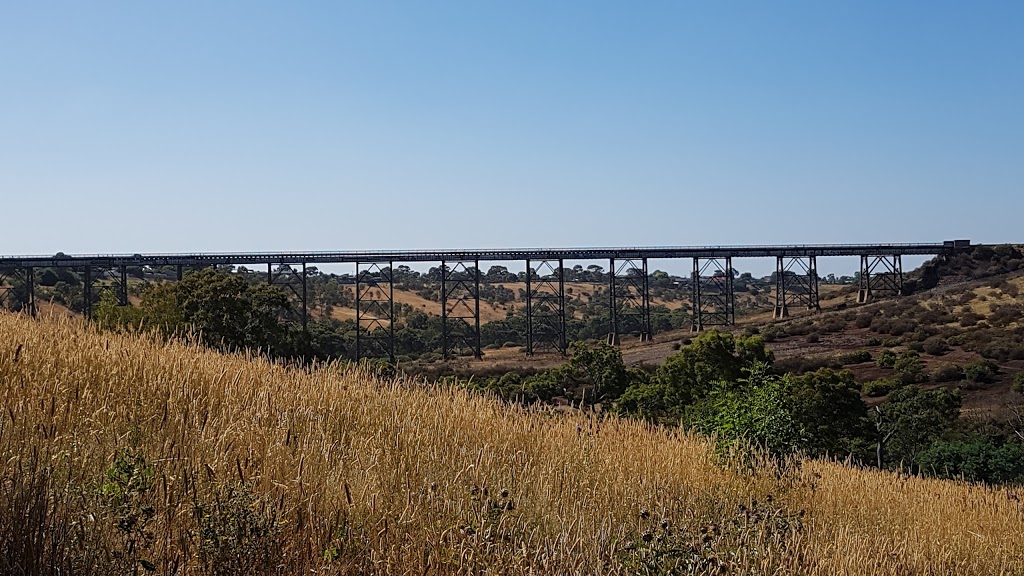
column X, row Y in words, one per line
column 365, row 476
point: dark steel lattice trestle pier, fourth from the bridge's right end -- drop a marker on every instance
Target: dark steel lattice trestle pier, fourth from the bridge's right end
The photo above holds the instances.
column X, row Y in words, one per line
column 629, row 300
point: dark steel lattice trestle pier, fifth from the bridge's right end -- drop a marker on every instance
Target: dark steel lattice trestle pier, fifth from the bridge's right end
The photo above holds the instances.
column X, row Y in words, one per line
column 546, row 306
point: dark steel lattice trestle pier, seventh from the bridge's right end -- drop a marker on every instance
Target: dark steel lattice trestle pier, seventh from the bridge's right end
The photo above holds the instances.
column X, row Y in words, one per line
column 374, row 310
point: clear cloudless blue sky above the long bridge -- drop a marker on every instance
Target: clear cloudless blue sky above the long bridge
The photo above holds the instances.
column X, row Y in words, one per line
column 142, row 128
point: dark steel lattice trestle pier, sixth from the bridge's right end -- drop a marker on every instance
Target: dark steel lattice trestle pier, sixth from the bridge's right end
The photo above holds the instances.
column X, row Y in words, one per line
column 460, row 309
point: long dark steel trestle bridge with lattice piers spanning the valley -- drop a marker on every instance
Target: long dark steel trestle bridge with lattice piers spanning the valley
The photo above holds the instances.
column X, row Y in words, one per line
column 713, row 298
